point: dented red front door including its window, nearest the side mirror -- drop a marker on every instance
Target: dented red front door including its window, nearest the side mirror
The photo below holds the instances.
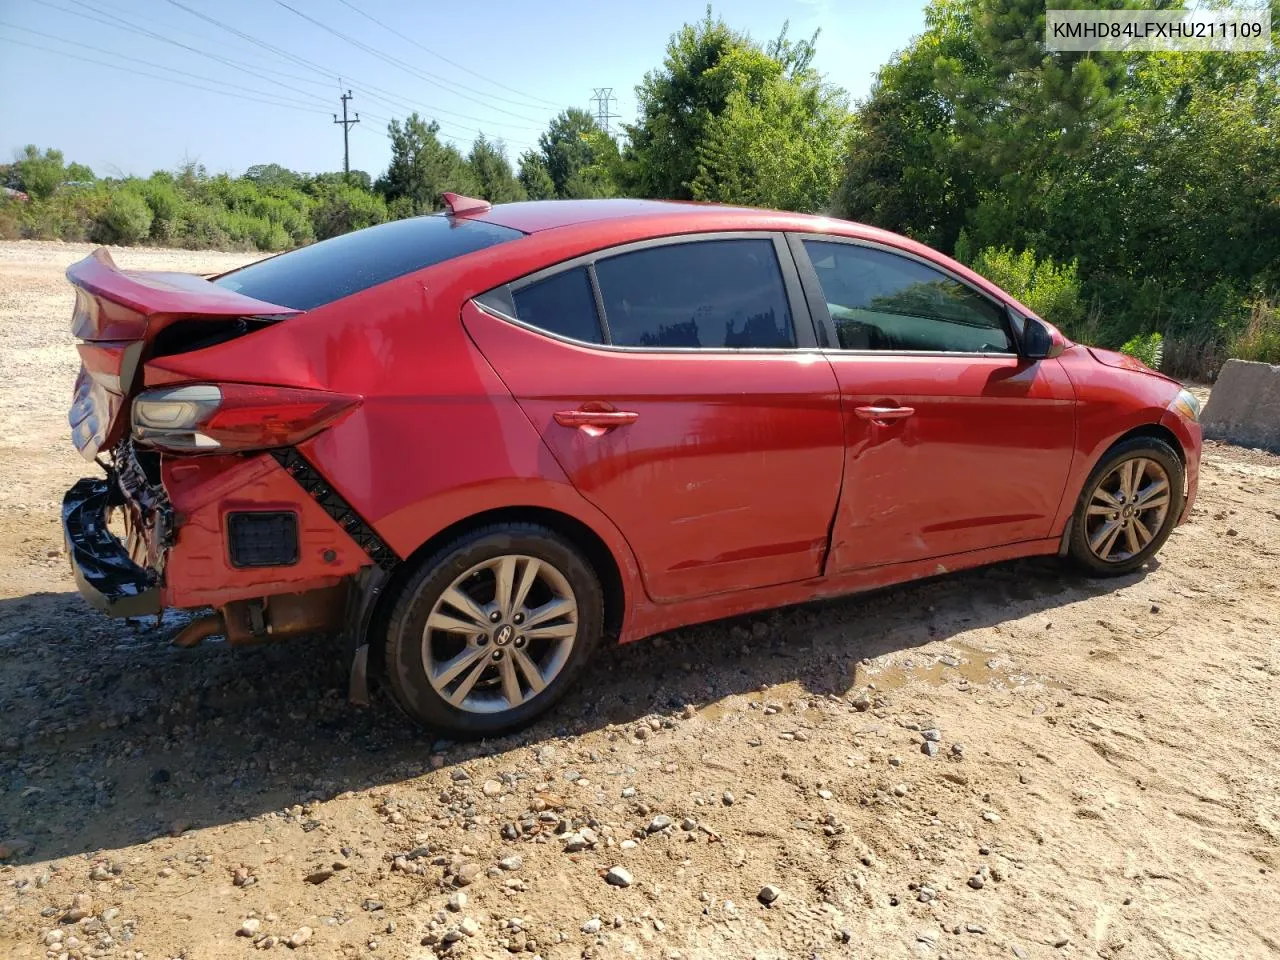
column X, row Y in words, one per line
column 954, row 442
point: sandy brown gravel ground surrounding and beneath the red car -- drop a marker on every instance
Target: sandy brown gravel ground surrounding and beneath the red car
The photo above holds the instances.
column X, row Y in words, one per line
column 1012, row 762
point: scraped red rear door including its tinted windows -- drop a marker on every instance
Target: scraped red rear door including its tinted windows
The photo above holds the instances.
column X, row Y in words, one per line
column 679, row 386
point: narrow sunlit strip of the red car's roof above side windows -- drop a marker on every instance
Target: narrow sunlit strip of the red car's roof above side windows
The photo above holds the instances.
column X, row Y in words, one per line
column 538, row 216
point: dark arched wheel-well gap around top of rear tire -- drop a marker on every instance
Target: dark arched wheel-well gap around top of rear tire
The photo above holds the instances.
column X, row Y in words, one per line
column 573, row 529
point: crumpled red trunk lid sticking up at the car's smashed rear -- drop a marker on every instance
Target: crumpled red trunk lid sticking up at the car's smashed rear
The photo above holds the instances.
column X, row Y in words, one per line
column 125, row 317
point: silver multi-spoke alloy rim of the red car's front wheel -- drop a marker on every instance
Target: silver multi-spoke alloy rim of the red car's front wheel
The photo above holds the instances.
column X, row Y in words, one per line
column 1127, row 510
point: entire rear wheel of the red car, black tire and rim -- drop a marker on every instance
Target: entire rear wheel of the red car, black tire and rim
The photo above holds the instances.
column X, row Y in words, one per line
column 506, row 642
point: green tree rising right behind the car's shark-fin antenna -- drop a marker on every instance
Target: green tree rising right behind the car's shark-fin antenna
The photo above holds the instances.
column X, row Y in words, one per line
column 422, row 168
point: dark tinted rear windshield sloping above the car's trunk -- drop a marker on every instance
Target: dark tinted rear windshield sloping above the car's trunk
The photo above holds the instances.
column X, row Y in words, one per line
column 337, row 268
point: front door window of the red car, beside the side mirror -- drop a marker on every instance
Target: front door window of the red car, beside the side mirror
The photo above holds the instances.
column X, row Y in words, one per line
column 884, row 301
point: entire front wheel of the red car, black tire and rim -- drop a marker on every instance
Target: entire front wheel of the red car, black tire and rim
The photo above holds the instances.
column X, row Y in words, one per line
column 1139, row 465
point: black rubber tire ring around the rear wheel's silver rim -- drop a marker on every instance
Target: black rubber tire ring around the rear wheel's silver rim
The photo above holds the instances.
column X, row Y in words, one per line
column 405, row 668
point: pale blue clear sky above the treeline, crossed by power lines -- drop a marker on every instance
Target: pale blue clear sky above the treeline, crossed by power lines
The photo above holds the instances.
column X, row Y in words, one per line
column 514, row 67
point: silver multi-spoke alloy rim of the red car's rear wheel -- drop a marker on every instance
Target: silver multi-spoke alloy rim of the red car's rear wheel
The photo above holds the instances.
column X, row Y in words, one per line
column 500, row 634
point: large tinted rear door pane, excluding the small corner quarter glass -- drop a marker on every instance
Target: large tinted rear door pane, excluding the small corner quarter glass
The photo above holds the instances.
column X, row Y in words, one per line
column 708, row 294
